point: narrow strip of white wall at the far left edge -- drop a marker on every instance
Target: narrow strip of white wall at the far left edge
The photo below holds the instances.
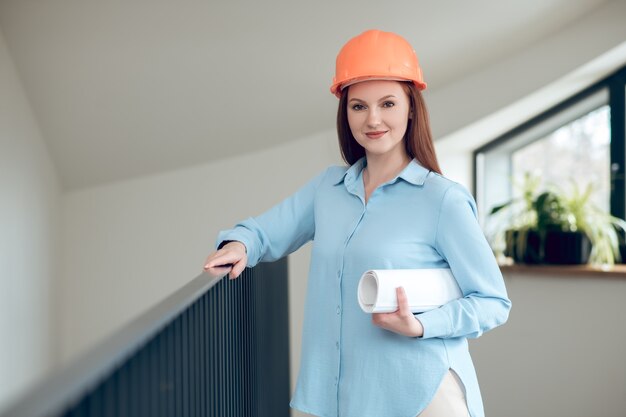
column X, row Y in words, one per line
column 29, row 210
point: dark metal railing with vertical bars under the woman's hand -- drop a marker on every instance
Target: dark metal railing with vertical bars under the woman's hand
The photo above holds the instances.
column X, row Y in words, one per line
column 214, row 348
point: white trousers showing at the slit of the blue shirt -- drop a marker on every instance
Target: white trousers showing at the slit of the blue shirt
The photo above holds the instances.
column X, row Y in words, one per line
column 449, row 400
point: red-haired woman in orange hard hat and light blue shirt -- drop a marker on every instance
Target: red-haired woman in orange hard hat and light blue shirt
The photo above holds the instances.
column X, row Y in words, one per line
column 390, row 209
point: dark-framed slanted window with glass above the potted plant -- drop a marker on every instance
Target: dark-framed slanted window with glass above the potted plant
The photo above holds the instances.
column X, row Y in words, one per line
column 580, row 141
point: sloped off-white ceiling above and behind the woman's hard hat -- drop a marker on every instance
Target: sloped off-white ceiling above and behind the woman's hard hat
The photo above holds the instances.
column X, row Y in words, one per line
column 128, row 88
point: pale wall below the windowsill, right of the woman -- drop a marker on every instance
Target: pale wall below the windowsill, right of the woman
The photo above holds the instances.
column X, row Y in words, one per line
column 562, row 352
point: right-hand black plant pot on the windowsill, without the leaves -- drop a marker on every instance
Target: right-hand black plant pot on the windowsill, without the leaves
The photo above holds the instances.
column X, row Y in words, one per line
column 571, row 248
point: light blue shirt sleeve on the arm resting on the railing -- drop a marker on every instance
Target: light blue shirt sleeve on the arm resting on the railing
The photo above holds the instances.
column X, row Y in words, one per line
column 279, row 231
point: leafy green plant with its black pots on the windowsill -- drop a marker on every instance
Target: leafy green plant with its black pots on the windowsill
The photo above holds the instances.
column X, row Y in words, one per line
column 558, row 228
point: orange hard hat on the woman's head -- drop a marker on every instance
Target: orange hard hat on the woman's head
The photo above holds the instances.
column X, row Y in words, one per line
column 376, row 55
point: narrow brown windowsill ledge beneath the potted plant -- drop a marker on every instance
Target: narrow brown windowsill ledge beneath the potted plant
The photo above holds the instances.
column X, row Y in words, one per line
column 566, row 271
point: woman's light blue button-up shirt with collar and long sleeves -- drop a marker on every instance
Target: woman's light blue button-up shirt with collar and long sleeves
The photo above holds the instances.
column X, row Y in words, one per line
column 419, row 219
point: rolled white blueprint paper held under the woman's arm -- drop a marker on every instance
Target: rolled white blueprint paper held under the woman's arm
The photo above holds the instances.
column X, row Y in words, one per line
column 426, row 289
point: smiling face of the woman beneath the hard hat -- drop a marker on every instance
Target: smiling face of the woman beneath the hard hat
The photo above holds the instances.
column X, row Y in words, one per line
column 378, row 112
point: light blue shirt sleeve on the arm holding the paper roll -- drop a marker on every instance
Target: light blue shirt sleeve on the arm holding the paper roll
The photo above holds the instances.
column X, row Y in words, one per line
column 461, row 242
